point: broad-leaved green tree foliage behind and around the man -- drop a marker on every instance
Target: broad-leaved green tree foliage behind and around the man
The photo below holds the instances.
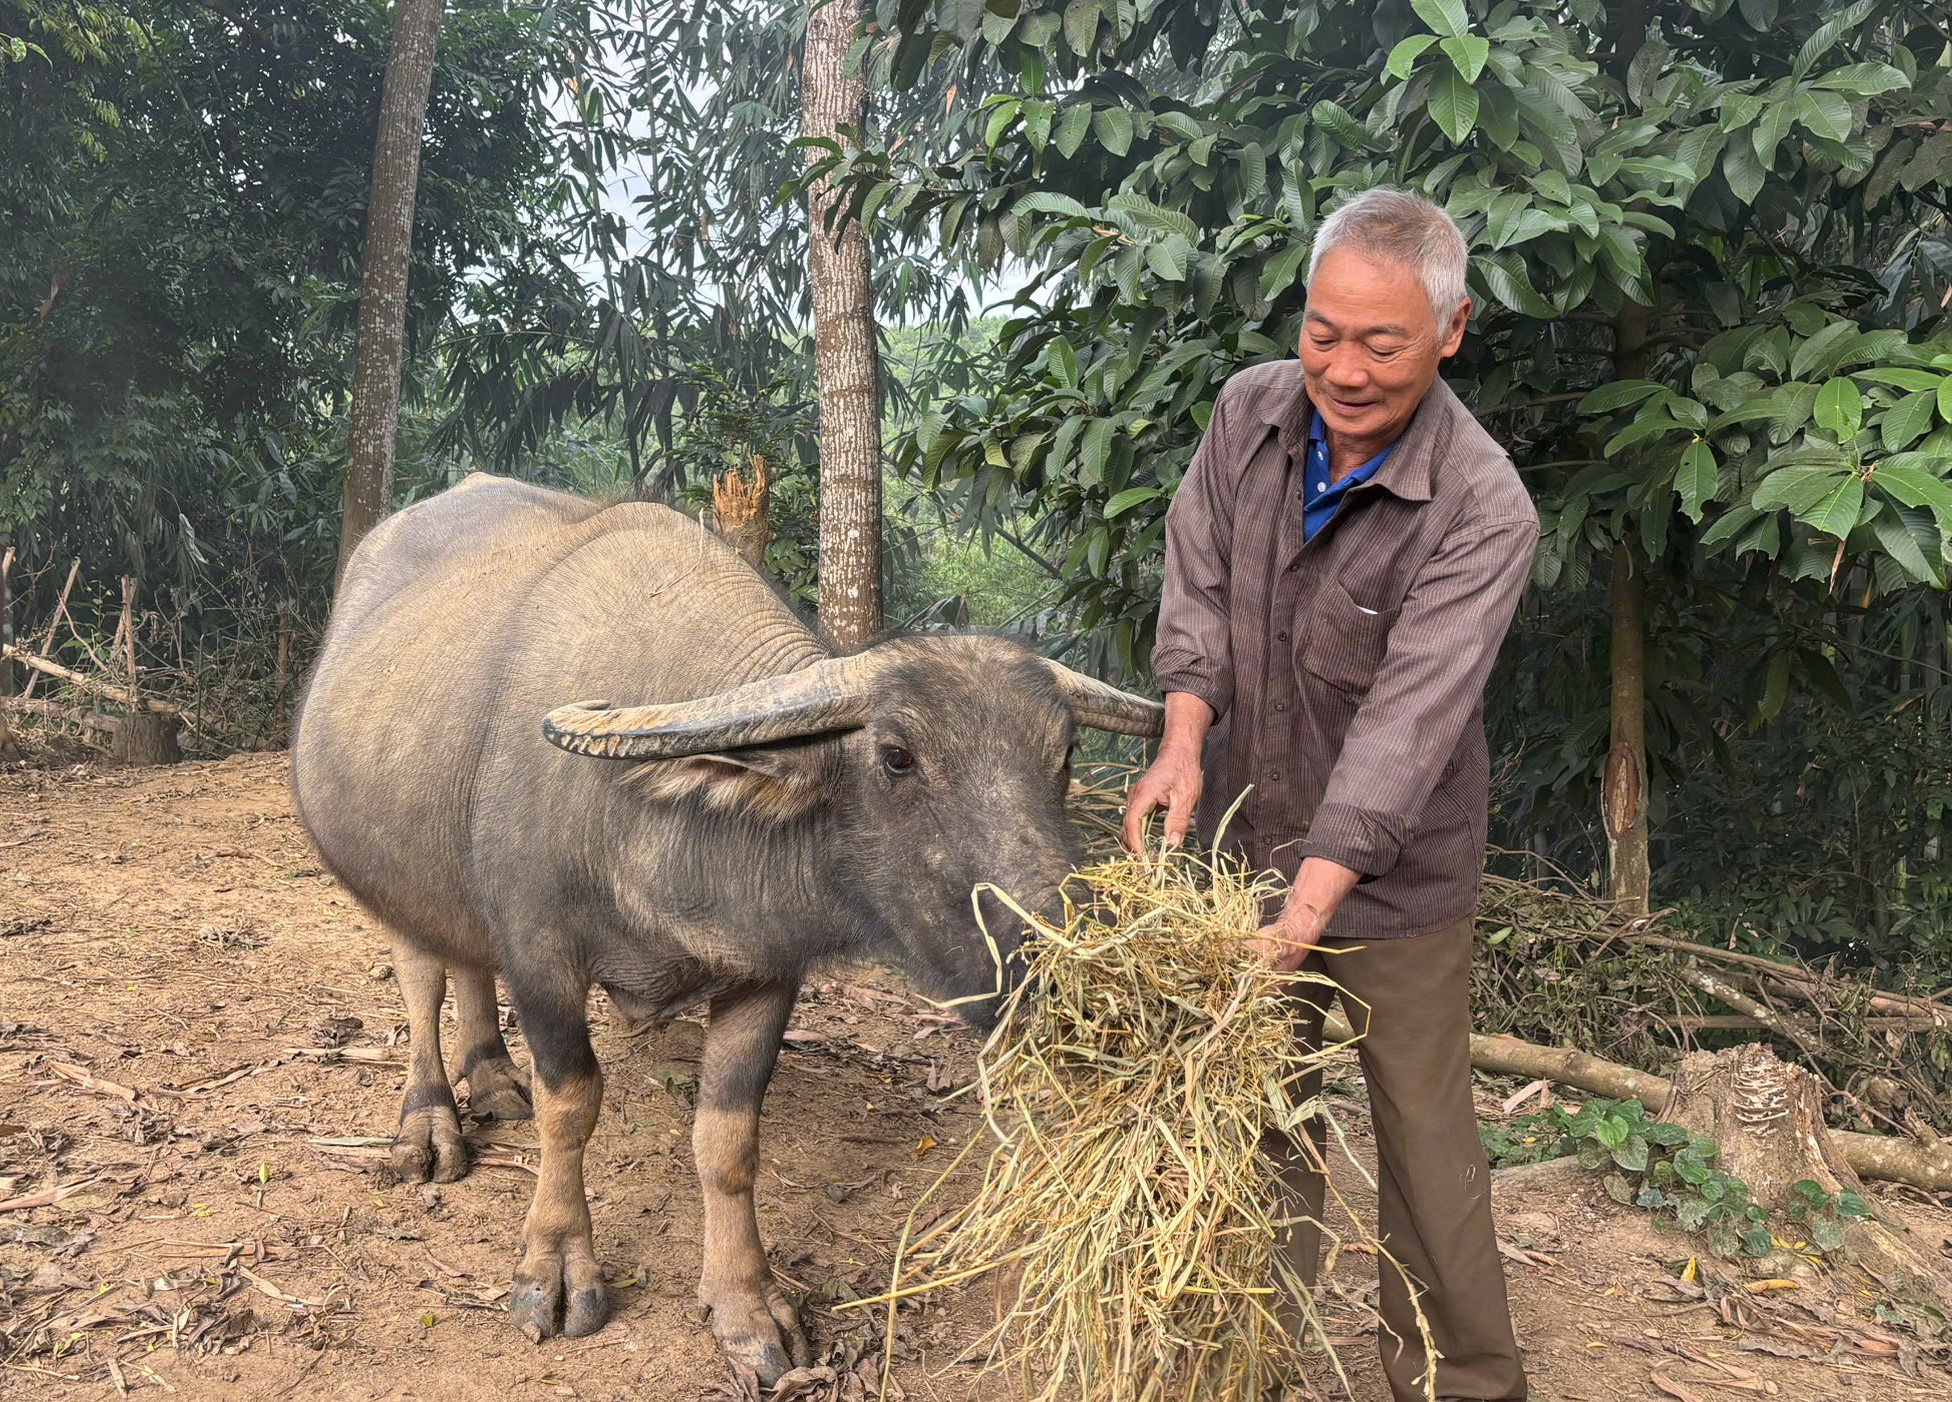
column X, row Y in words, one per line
column 1709, row 251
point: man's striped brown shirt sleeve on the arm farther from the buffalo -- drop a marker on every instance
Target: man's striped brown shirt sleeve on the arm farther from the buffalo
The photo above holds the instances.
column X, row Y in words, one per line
column 1428, row 688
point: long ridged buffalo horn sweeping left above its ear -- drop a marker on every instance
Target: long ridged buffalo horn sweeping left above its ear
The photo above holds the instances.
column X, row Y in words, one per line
column 829, row 696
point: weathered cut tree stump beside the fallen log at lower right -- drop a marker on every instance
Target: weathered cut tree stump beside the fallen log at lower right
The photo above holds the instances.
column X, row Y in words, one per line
column 1768, row 1120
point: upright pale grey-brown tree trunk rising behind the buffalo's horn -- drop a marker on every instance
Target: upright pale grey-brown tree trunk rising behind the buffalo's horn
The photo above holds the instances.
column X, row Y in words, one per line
column 844, row 345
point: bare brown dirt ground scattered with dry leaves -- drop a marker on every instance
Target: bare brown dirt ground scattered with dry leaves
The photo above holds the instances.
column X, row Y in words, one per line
column 200, row 1065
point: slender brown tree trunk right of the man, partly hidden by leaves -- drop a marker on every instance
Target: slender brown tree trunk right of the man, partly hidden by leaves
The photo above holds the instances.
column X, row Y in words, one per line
column 1625, row 800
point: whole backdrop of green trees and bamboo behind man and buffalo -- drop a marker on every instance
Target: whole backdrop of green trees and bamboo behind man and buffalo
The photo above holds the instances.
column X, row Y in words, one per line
column 1709, row 255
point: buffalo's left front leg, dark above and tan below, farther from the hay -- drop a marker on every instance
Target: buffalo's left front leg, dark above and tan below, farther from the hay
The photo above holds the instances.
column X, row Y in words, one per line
column 559, row 1286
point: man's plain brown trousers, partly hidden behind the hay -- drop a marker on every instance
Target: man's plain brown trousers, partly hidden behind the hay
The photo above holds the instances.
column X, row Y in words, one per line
column 1410, row 1005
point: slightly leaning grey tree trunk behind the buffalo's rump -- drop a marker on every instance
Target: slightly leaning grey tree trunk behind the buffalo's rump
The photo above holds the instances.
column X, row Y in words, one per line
column 389, row 247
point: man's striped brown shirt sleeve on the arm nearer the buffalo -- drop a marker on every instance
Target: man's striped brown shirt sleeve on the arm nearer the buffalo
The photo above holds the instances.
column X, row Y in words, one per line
column 1196, row 649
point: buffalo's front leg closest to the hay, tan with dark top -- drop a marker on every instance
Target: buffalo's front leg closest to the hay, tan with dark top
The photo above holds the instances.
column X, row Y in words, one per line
column 752, row 1321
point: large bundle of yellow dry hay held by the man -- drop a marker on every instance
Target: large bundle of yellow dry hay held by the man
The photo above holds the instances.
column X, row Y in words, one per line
column 1127, row 1214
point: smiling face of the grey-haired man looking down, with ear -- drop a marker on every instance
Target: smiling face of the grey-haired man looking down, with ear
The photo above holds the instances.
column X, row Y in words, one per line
column 1371, row 345
